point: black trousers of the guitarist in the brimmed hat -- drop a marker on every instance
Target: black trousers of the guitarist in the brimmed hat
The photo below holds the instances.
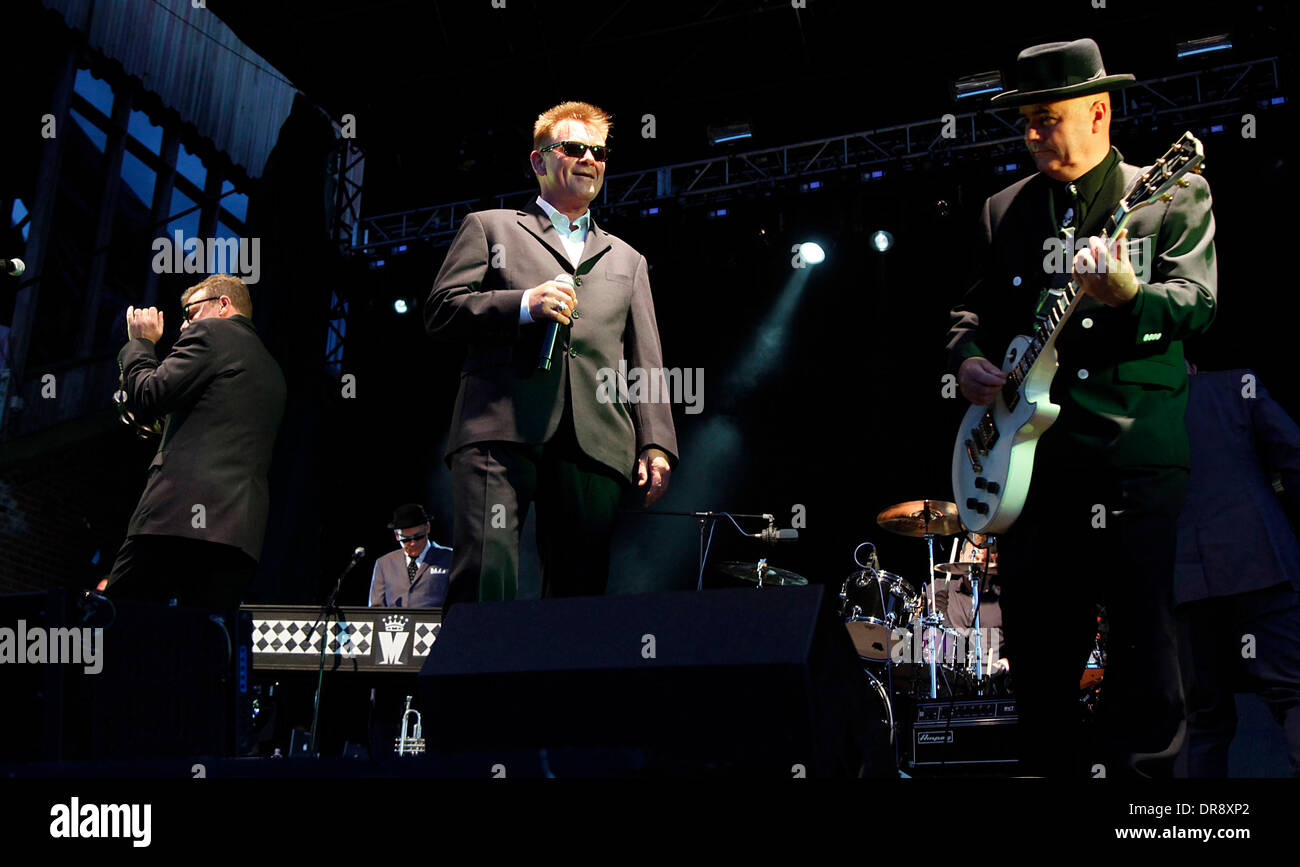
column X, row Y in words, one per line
column 1086, row 539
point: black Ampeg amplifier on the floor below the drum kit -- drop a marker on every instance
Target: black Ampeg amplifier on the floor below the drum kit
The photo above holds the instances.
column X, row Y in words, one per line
column 968, row 732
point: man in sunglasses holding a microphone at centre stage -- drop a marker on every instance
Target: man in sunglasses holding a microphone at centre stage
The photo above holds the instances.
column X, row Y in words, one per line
column 530, row 428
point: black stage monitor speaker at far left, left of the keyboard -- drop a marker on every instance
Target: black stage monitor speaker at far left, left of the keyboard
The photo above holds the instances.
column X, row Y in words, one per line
column 106, row 679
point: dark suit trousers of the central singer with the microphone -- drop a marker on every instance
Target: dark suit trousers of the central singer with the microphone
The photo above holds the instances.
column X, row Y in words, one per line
column 496, row 483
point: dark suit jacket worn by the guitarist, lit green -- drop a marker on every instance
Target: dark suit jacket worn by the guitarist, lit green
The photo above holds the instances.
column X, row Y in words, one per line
column 1123, row 384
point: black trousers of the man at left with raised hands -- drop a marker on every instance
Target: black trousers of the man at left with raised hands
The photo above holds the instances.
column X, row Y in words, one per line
column 194, row 573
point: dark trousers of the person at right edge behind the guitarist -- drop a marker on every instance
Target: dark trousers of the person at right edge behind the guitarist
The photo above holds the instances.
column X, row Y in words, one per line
column 1249, row 643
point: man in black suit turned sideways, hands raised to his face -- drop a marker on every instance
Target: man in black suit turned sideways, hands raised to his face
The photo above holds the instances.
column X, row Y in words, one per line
column 198, row 530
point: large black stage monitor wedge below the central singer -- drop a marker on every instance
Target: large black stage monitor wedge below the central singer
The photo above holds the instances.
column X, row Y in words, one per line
column 749, row 682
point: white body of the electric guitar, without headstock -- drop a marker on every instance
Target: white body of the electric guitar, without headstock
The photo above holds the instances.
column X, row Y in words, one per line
column 994, row 456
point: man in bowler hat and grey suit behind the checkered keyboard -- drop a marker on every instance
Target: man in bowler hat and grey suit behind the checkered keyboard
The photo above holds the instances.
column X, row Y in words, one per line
column 417, row 575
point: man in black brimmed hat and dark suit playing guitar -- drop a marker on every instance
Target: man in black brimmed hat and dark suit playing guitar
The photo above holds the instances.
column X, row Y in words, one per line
column 1111, row 475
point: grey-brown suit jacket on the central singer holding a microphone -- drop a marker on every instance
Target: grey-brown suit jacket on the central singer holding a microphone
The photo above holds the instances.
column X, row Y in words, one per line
column 495, row 259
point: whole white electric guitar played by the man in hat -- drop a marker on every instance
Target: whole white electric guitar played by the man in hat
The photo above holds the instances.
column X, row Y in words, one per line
column 994, row 456
